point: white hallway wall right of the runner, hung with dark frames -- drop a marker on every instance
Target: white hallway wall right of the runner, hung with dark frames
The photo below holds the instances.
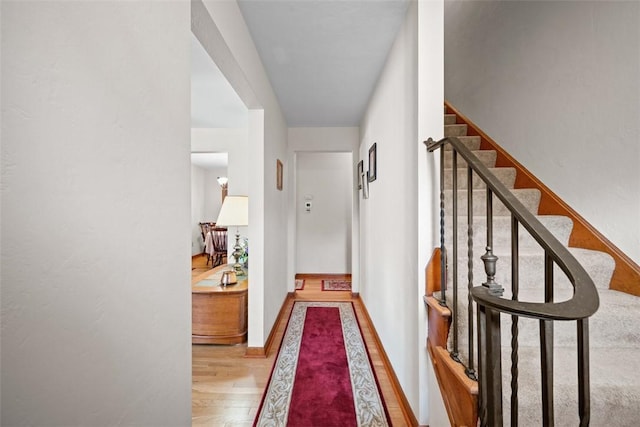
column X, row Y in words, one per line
column 389, row 218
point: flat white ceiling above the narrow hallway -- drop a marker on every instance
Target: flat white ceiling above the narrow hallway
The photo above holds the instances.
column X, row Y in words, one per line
column 323, row 57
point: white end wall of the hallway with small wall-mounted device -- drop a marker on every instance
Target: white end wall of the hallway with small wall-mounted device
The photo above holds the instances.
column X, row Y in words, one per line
column 323, row 235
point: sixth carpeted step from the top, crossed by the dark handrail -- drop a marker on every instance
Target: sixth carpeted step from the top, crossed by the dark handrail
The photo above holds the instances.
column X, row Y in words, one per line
column 529, row 197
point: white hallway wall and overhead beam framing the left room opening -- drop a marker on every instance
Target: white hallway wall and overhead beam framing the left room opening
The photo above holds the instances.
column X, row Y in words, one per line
column 221, row 30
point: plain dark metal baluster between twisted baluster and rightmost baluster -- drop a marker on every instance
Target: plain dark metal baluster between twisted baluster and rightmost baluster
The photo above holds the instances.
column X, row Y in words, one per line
column 546, row 347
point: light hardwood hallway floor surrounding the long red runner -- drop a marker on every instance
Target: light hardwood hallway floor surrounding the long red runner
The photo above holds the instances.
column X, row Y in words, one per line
column 228, row 387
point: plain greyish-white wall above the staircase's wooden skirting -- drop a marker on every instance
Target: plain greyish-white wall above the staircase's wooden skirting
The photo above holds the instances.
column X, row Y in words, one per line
column 556, row 84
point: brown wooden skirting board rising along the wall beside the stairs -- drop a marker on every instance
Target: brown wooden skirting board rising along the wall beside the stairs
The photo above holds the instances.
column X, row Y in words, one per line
column 626, row 276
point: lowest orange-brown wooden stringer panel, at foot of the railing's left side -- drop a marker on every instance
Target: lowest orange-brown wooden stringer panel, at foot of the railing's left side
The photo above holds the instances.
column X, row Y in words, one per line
column 459, row 392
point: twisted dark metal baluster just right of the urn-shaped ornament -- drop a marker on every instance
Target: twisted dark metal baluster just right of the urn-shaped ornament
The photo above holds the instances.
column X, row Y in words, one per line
column 515, row 277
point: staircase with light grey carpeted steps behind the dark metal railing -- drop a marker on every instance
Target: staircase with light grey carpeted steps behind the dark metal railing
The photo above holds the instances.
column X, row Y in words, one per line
column 614, row 329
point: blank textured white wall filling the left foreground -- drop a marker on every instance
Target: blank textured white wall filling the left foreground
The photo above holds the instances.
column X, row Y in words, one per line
column 95, row 172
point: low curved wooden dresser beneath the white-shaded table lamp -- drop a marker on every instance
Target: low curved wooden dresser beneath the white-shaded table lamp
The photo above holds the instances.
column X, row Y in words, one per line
column 218, row 314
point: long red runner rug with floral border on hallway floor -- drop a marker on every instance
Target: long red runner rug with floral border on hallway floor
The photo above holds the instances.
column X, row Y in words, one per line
column 322, row 375
